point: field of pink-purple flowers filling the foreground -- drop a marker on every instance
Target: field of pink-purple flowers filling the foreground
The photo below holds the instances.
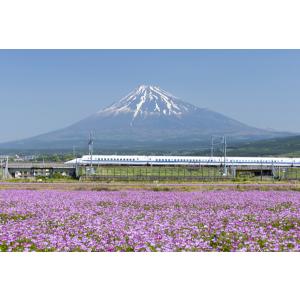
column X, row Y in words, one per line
column 149, row 221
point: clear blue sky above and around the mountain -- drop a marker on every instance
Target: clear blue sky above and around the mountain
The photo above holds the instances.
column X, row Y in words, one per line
column 44, row 90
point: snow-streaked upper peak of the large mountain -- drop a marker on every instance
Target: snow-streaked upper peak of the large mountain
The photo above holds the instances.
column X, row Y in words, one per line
column 148, row 100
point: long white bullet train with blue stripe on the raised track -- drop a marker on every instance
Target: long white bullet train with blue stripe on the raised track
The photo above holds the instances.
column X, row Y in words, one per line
column 184, row 160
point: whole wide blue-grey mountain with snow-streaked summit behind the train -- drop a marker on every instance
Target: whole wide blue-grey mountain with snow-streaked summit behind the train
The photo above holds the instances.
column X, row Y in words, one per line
column 147, row 118
